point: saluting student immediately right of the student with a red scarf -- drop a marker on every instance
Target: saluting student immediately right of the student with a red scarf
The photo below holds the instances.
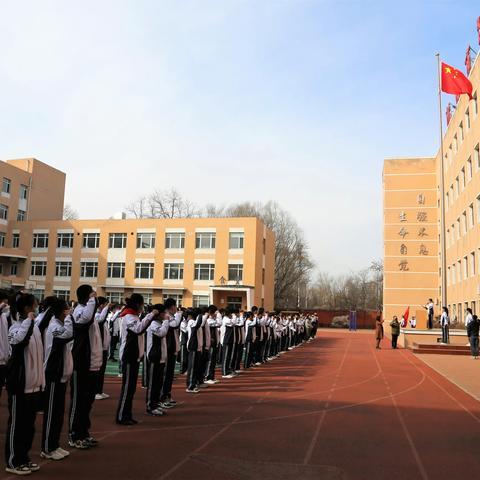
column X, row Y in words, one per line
column 156, row 355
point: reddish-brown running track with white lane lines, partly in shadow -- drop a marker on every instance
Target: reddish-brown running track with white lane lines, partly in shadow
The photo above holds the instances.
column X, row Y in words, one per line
column 332, row 409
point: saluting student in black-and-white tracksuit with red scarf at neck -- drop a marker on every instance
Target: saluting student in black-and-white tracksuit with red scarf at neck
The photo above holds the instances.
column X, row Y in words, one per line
column 131, row 352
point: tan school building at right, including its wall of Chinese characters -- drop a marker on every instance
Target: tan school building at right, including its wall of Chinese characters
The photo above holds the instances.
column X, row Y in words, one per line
column 412, row 220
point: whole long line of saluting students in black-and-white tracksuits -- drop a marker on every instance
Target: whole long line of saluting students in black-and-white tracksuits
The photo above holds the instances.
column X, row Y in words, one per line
column 42, row 355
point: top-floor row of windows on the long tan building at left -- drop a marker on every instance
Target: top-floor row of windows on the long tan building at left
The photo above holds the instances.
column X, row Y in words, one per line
column 144, row 240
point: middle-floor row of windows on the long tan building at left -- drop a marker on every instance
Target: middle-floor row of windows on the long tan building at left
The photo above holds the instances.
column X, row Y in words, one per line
column 172, row 271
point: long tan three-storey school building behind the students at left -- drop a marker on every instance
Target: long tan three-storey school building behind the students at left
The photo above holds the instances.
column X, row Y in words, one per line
column 197, row 261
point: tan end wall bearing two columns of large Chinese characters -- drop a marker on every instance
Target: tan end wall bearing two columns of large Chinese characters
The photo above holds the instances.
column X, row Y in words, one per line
column 411, row 273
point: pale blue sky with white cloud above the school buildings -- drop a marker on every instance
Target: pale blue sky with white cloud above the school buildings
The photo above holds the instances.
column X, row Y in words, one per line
column 297, row 101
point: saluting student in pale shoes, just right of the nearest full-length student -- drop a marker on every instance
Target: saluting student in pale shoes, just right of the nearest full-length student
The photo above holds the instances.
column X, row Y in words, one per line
column 58, row 366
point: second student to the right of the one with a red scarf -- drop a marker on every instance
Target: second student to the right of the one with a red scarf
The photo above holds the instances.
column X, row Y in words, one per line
column 173, row 347
